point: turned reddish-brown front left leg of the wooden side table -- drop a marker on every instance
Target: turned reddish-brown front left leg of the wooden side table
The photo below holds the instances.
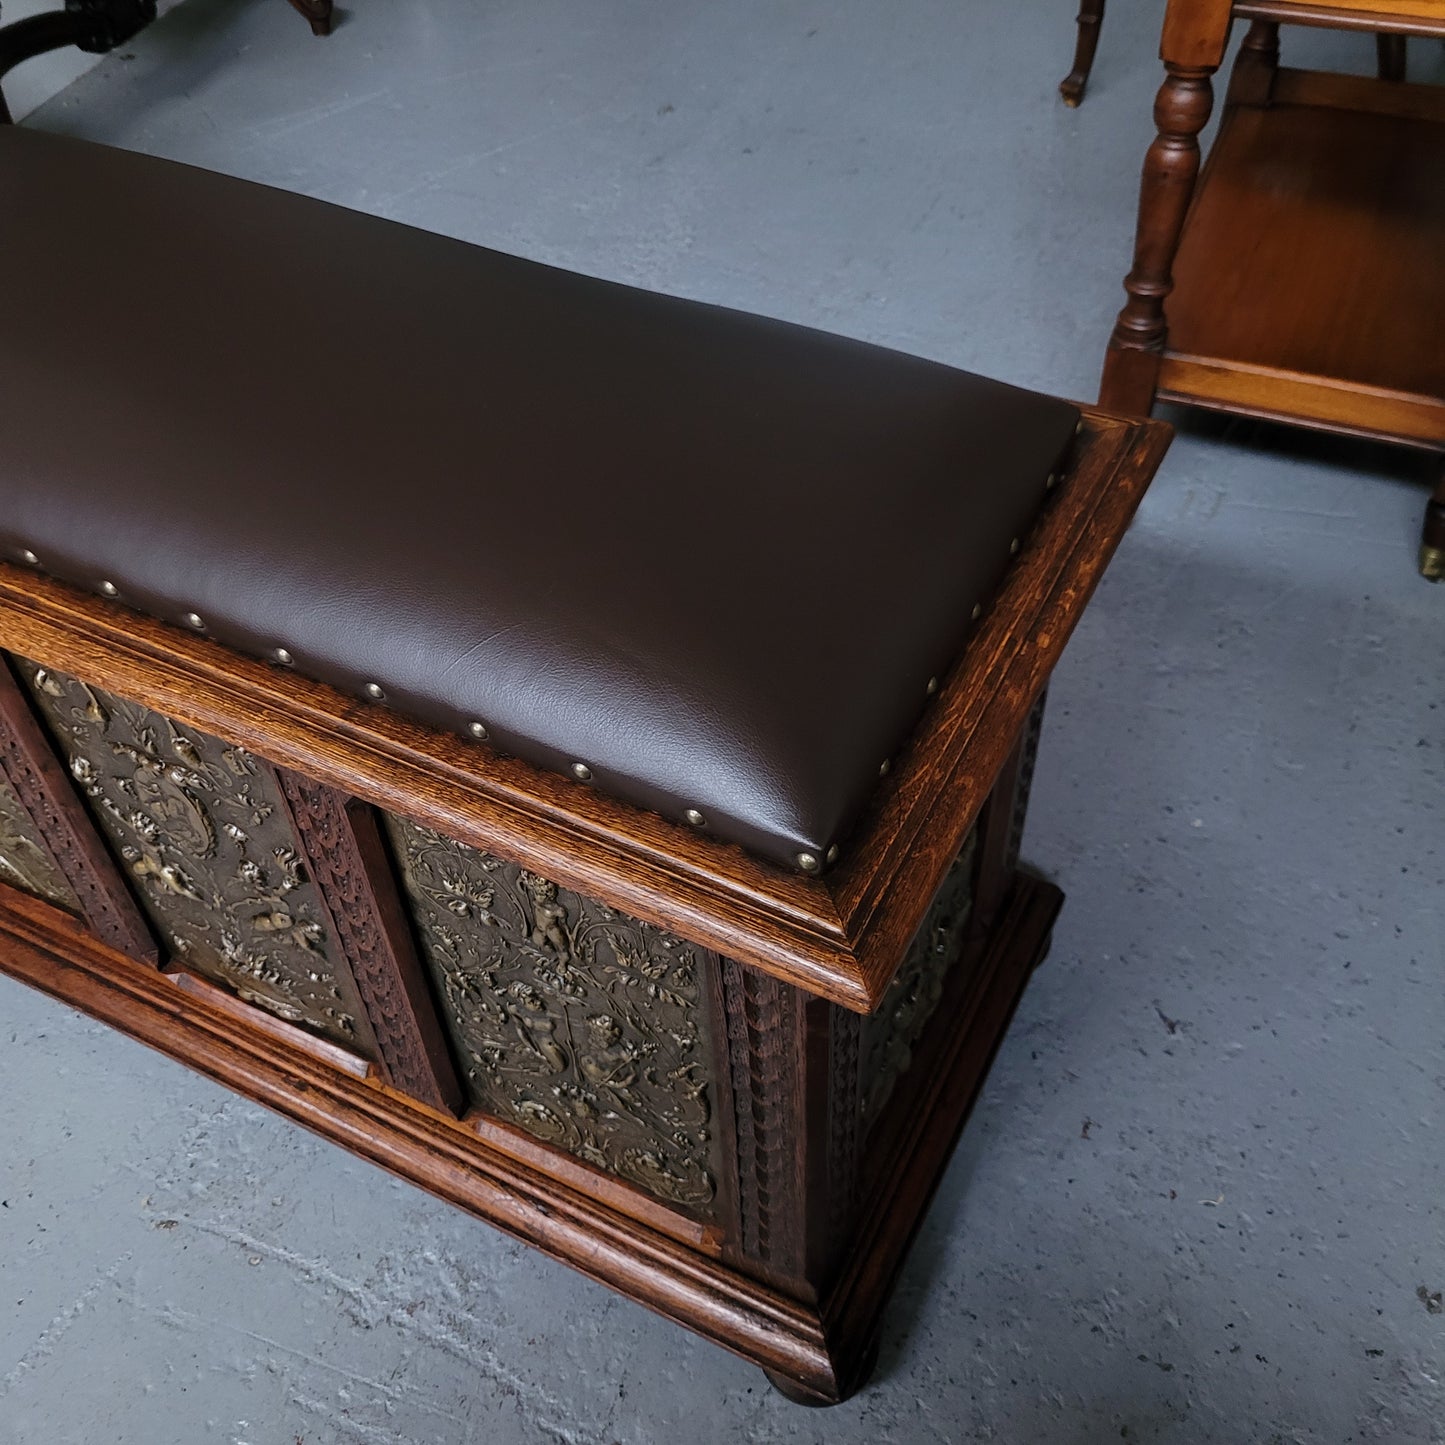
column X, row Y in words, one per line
column 1171, row 168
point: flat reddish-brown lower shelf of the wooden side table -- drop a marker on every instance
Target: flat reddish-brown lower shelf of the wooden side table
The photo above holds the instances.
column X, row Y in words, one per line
column 1310, row 282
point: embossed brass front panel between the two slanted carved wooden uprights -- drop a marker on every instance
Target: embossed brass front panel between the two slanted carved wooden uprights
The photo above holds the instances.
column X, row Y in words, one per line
column 203, row 833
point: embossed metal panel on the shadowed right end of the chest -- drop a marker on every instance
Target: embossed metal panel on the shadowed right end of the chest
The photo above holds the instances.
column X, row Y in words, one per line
column 891, row 1035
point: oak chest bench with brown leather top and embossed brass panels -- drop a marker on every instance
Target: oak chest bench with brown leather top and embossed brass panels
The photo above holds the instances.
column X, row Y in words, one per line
column 564, row 745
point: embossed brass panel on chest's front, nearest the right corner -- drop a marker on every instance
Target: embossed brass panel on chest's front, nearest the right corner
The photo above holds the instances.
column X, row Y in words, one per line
column 571, row 1021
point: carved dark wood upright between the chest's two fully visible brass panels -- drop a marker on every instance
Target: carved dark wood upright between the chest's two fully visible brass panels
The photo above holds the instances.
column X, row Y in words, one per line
column 348, row 862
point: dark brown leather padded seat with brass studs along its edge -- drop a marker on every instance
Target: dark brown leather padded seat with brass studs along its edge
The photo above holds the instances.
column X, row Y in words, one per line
column 713, row 558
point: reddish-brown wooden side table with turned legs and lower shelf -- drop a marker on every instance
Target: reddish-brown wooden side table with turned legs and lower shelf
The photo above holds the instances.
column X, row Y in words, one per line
column 1303, row 267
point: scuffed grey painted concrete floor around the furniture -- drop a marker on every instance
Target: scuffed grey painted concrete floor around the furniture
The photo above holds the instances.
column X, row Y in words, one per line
column 1200, row 1200
